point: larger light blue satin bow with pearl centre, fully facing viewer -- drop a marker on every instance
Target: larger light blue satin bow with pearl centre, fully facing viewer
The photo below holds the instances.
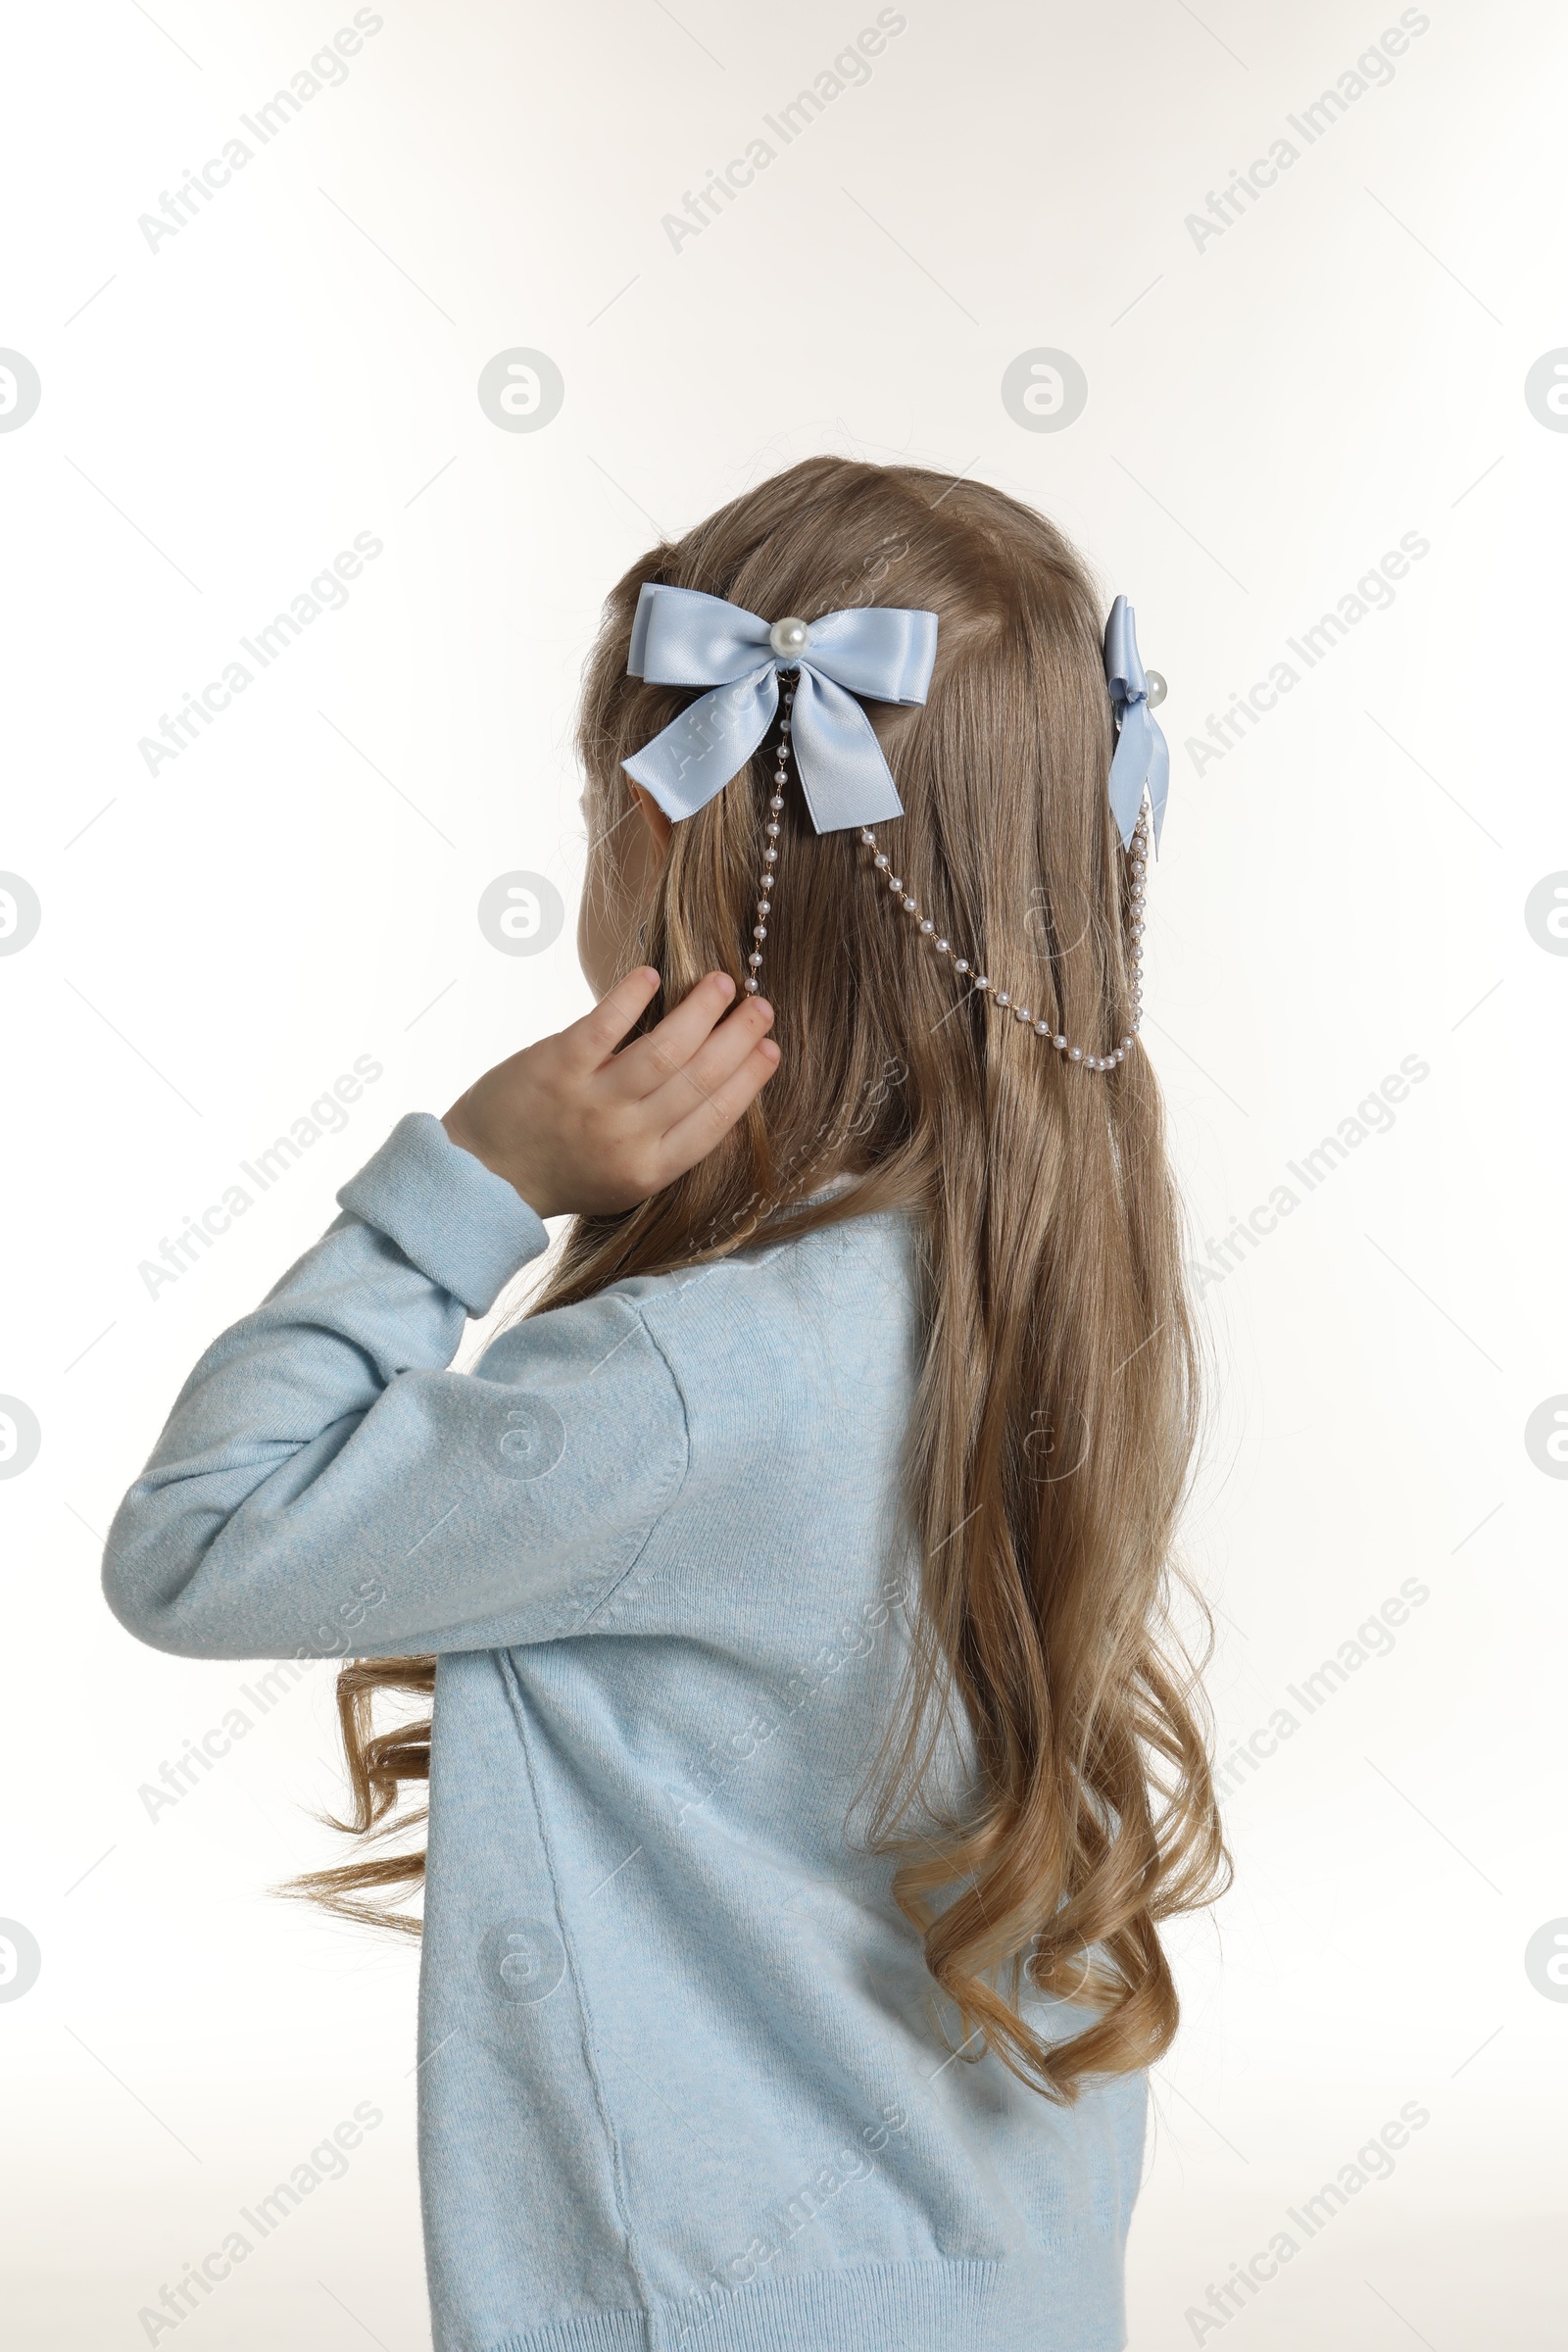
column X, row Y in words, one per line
column 683, row 639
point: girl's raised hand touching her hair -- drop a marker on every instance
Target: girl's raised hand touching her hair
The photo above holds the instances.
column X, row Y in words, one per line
column 575, row 1125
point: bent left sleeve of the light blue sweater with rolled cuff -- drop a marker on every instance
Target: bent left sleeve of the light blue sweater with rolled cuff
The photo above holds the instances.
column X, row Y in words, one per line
column 328, row 1488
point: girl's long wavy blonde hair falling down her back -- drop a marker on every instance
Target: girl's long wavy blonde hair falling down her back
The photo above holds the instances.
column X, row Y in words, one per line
column 1057, row 1410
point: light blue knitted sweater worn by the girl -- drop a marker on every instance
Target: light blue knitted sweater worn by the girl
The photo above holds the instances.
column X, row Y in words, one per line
column 683, row 2087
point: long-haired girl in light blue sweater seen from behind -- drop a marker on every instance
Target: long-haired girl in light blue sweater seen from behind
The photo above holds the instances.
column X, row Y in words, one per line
column 808, row 1765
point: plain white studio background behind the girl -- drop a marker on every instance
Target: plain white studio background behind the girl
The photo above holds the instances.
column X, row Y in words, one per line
column 1266, row 417
